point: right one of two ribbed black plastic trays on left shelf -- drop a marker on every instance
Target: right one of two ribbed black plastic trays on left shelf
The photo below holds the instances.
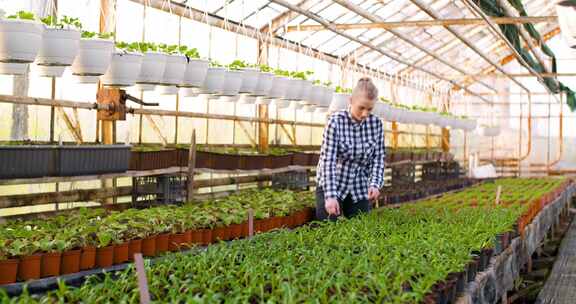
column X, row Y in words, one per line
column 97, row 159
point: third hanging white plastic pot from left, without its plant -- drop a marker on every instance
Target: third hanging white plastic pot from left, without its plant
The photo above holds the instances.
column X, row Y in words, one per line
column 94, row 57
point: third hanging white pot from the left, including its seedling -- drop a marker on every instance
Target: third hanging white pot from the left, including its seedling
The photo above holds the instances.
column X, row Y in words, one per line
column 94, row 56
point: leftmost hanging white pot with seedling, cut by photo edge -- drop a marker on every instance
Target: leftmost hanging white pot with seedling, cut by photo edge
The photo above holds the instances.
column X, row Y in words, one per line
column 20, row 41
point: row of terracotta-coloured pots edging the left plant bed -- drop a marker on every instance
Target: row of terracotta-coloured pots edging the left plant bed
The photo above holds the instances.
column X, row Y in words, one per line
column 52, row 264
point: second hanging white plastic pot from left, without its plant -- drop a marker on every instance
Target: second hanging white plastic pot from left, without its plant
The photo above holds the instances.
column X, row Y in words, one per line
column 59, row 47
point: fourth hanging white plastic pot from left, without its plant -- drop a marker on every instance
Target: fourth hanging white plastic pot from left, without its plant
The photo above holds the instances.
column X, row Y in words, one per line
column 123, row 70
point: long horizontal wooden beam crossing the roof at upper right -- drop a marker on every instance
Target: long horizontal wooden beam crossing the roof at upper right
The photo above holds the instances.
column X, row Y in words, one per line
column 424, row 23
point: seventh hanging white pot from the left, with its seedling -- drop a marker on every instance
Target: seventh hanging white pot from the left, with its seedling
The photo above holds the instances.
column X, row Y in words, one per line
column 195, row 73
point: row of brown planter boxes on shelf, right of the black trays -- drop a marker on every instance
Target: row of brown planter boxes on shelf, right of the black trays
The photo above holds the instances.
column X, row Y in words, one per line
column 150, row 160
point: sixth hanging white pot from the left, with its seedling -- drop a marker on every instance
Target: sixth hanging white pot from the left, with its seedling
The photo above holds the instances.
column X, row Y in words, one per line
column 176, row 65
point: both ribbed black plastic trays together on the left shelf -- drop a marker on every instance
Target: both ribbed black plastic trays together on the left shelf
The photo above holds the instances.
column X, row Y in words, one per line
column 27, row 161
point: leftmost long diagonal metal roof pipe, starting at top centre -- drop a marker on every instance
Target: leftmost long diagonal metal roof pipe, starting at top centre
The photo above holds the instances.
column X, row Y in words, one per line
column 375, row 48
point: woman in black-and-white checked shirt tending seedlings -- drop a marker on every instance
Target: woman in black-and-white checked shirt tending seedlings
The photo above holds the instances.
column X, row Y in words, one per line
column 350, row 172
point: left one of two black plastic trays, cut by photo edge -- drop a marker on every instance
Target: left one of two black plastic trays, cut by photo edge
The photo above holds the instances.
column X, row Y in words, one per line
column 27, row 161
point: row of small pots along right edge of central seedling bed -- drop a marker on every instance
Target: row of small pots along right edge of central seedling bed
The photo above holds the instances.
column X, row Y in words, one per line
column 447, row 291
